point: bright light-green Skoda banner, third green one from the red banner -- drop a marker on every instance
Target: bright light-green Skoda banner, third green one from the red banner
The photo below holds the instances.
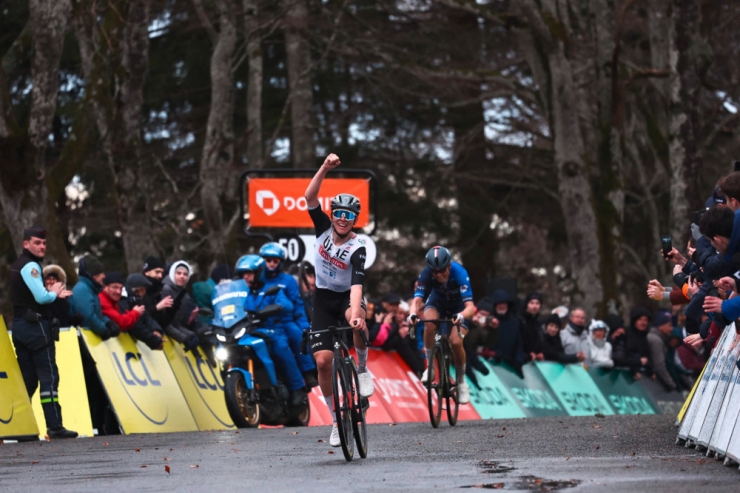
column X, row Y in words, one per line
column 573, row 386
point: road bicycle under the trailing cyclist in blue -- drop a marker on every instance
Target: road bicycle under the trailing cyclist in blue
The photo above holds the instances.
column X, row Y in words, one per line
column 440, row 383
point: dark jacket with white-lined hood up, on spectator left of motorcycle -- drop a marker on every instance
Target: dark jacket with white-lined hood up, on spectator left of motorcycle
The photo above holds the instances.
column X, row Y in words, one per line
column 179, row 327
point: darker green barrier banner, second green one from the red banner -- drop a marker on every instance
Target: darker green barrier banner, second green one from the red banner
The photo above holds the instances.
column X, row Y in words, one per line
column 532, row 393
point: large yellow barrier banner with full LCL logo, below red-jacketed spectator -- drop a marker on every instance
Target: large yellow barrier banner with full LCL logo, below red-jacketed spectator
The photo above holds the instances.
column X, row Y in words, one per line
column 140, row 384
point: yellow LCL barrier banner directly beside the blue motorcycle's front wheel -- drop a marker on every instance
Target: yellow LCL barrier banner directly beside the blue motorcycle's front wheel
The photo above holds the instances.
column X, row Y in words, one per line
column 202, row 387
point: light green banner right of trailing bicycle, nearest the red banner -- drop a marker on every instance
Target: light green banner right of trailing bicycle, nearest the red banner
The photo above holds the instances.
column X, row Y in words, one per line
column 493, row 400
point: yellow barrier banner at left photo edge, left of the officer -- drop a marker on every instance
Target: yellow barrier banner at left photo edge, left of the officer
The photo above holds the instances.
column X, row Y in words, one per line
column 16, row 416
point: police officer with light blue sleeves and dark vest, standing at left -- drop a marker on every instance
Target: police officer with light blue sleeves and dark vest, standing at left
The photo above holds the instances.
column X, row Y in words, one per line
column 32, row 335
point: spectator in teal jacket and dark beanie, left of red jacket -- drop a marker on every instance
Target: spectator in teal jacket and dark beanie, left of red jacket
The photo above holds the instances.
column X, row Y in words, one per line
column 85, row 300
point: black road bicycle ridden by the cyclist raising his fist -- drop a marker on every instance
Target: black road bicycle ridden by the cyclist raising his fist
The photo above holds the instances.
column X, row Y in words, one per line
column 349, row 406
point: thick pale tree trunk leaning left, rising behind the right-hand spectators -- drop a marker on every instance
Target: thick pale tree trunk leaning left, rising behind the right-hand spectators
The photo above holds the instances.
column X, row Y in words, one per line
column 576, row 197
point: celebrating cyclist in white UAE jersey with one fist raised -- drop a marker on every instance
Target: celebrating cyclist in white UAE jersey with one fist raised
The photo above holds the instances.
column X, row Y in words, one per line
column 340, row 274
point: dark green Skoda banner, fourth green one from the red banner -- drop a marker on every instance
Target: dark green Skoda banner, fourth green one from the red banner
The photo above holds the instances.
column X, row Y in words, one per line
column 625, row 396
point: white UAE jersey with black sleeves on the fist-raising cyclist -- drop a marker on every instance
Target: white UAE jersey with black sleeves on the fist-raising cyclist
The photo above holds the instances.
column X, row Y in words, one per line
column 338, row 268
